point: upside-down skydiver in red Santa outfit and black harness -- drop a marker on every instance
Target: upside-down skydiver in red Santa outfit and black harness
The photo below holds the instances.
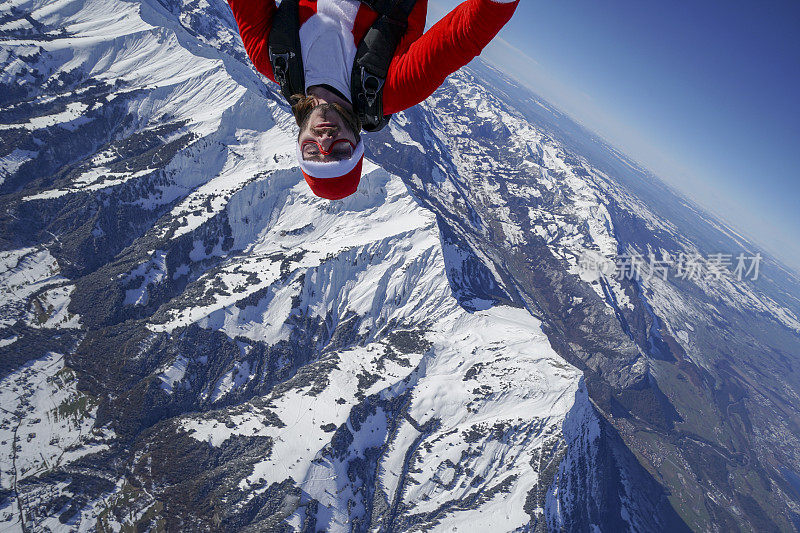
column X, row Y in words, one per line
column 370, row 52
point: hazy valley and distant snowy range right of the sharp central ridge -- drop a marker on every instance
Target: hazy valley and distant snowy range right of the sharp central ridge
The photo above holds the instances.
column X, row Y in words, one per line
column 686, row 369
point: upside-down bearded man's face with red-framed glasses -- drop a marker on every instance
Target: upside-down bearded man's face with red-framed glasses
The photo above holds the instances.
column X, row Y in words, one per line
column 330, row 131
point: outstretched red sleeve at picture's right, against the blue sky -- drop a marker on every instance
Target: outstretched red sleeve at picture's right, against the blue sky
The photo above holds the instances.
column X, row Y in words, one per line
column 449, row 45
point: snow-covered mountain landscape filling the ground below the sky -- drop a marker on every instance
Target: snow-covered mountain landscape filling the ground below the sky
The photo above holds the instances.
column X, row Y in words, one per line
column 190, row 340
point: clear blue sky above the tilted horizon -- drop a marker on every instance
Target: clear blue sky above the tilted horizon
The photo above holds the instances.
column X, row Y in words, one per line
column 704, row 94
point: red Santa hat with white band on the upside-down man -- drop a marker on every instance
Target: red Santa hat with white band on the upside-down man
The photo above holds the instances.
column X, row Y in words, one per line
column 334, row 180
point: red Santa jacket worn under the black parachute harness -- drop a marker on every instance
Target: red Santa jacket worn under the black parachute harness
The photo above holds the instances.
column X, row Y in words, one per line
column 421, row 62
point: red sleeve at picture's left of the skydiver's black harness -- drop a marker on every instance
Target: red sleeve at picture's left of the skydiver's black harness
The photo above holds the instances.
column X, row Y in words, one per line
column 254, row 18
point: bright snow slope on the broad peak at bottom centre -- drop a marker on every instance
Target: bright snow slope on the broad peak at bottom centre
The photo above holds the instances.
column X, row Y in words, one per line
column 524, row 386
